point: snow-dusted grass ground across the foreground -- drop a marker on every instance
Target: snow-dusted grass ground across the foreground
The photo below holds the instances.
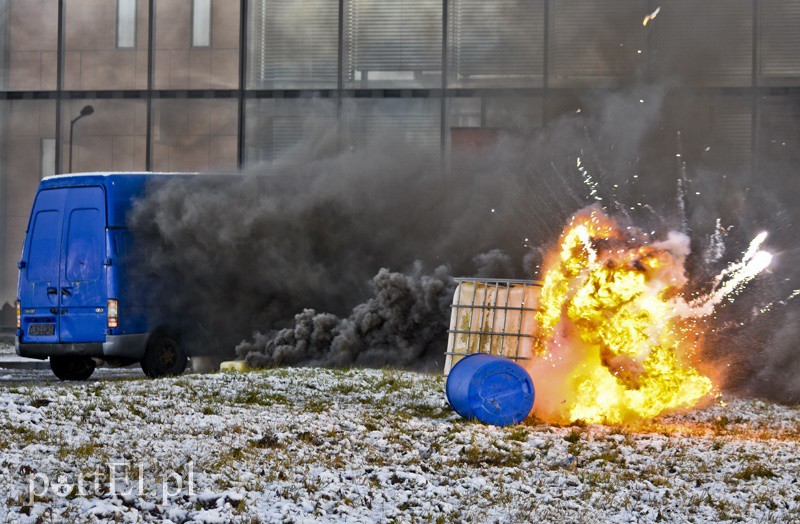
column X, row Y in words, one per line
column 365, row 445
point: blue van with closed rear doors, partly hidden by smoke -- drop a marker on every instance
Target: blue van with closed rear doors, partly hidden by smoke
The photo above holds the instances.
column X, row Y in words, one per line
column 77, row 301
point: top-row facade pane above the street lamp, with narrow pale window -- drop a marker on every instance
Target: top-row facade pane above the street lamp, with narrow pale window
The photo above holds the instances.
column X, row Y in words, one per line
column 95, row 57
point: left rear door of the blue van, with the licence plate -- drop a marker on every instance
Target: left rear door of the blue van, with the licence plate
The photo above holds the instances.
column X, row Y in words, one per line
column 39, row 275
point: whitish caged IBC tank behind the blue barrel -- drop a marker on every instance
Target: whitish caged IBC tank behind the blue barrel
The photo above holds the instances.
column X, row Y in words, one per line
column 494, row 316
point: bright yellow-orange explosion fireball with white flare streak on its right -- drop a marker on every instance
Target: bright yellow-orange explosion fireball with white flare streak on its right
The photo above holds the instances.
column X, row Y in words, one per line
column 617, row 340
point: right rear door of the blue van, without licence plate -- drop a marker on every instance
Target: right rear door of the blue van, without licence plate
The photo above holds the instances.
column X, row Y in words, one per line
column 82, row 290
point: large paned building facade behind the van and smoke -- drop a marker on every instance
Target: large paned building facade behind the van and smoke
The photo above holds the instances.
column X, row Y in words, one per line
column 217, row 85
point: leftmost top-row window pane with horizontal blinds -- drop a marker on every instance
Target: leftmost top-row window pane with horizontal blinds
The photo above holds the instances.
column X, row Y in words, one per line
column 293, row 43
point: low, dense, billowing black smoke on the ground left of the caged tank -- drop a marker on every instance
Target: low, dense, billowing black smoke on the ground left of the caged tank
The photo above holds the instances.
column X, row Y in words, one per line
column 401, row 325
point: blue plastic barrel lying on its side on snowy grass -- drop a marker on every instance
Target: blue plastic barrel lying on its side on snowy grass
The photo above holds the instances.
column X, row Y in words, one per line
column 489, row 388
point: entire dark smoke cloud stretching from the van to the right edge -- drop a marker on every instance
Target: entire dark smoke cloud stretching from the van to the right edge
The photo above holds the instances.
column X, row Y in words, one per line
column 307, row 251
